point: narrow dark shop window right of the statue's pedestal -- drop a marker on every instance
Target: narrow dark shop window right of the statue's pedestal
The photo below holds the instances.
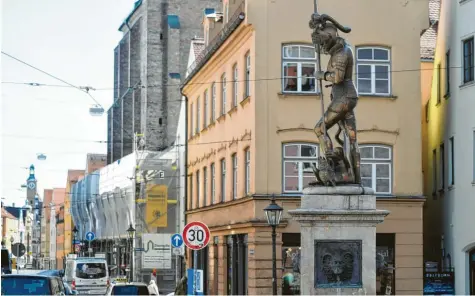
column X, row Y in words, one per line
column 385, row 264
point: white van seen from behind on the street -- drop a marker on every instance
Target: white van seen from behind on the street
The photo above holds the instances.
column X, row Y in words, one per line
column 87, row 275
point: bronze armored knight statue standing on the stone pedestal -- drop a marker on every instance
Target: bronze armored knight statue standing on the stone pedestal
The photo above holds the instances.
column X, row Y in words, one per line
column 336, row 166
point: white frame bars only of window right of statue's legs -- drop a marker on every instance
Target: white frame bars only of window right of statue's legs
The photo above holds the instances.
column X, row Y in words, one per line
column 379, row 161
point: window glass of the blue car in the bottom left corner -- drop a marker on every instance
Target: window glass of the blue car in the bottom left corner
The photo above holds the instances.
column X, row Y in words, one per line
column 25, row 286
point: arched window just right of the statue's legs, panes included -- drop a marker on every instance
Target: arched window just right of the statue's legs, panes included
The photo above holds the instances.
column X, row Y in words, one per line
column 376, row 168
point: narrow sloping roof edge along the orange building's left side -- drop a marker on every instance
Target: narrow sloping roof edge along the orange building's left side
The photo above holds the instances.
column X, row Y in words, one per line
column 234, row 21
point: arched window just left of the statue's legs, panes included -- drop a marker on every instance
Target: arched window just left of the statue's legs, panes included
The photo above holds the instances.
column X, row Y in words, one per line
column 297, row 165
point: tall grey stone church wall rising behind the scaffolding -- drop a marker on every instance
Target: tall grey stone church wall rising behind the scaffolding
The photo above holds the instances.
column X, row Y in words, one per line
column 149, row 64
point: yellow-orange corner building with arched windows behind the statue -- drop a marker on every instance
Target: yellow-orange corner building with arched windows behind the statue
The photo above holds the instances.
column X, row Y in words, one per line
column 252, row 106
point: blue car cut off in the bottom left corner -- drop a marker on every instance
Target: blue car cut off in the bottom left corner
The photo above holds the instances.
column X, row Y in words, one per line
column 27, row 284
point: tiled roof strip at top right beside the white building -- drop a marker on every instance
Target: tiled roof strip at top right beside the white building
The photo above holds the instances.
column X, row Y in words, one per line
column 429, row 36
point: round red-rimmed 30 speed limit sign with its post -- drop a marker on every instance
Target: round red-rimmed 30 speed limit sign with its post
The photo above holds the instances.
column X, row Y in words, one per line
column 196, row 237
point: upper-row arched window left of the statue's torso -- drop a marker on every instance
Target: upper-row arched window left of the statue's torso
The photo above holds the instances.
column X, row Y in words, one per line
column 298, row 68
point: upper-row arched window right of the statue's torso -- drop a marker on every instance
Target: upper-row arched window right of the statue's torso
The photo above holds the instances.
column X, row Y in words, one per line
column 373, row 71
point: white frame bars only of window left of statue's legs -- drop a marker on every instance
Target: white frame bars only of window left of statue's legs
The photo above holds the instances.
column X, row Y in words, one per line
column 300, row 160
